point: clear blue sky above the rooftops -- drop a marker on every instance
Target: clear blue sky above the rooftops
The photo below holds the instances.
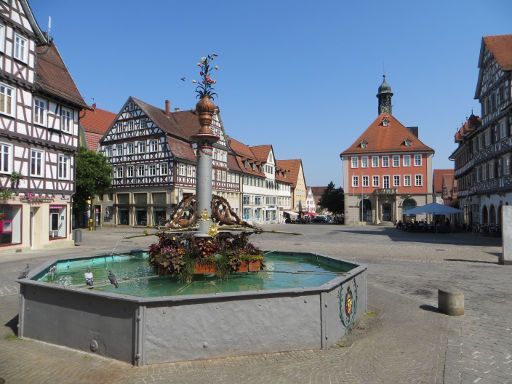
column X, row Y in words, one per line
column 299, row 75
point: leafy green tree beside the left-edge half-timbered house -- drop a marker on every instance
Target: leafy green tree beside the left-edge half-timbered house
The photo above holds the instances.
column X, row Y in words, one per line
column 93, row 177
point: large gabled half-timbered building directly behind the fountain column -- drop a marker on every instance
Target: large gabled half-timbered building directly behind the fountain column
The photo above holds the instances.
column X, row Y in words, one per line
column 154, row 162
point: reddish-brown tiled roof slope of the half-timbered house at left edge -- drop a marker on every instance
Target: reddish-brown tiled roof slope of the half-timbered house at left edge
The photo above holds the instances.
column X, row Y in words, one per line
column 53, row 77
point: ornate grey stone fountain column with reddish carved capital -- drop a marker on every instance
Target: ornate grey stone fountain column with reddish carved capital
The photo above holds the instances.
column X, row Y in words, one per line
column 205, row 138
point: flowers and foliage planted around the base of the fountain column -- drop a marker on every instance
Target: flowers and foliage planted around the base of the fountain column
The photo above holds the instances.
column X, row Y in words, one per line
column 183, row 255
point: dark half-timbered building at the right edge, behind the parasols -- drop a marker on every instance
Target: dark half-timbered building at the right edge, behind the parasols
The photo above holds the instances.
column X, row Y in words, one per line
column 483, row 158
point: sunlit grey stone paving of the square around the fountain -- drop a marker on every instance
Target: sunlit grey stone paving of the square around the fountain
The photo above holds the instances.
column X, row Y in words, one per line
column 402, row 340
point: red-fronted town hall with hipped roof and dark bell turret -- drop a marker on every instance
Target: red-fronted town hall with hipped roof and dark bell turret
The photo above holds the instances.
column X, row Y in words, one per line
column 387, row 169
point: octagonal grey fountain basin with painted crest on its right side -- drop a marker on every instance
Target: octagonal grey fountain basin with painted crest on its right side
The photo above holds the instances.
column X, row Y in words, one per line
column 311, row 310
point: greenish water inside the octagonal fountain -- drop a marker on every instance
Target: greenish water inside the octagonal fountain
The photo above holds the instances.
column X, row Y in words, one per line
column 137, row 278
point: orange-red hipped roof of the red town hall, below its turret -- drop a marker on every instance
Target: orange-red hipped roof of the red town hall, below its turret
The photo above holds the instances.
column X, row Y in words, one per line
column 390, row 138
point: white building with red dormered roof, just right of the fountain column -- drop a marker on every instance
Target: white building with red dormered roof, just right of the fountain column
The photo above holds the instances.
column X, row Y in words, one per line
column 266, row 189
